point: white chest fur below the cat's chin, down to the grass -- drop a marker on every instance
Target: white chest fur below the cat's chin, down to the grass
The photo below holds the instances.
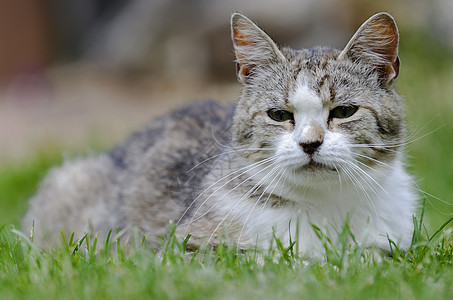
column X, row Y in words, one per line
column 375, row 214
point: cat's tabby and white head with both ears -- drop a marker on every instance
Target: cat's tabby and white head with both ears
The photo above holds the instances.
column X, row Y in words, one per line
column 314, row 113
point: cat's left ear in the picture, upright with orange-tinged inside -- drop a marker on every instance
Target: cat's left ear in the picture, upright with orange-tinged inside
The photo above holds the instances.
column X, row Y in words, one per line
column 252, row 46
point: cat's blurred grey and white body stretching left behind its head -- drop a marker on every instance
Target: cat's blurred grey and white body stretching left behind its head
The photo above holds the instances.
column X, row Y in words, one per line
column 146, row 179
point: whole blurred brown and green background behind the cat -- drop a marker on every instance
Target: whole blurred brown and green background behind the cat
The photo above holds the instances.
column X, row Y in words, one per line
column 77, row 75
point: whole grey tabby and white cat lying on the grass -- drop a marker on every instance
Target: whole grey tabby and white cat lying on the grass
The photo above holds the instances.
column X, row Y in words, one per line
column 316, row 139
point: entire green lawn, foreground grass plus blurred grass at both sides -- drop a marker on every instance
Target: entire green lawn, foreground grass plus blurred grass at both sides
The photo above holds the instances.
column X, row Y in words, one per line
column 423, row 272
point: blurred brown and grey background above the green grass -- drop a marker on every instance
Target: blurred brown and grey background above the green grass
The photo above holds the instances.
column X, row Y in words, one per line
column 91, row 71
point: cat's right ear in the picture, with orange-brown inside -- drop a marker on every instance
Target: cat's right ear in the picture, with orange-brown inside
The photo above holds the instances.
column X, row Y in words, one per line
column 376, row 42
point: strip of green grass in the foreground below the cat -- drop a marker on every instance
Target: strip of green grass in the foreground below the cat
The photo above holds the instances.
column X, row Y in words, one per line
column 348, row 272
